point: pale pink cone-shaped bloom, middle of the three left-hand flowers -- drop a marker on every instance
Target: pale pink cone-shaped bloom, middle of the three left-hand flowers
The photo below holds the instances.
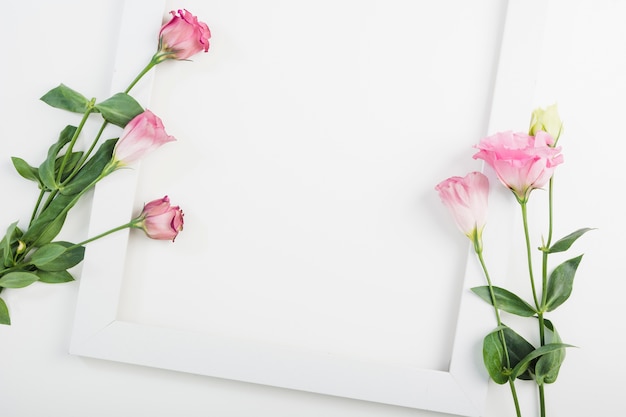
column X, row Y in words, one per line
column 144, row 133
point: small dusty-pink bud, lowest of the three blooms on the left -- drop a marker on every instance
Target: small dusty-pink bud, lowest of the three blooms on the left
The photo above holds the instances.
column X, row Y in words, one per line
column 160, row 220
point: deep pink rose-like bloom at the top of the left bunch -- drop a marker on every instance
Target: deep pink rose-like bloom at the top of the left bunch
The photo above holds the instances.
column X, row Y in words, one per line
column 182, row 37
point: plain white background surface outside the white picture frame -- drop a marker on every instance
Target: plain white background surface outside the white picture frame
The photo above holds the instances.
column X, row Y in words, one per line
column 586, row 76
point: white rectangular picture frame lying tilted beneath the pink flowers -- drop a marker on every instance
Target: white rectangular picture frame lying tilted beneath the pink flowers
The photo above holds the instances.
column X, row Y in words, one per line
column 102, row 328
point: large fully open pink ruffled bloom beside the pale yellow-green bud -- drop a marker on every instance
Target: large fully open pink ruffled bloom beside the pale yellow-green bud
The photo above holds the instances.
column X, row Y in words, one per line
column 521, row 162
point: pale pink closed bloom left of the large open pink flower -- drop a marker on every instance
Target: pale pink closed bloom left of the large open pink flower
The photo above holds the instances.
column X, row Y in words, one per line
column 467, row 199
